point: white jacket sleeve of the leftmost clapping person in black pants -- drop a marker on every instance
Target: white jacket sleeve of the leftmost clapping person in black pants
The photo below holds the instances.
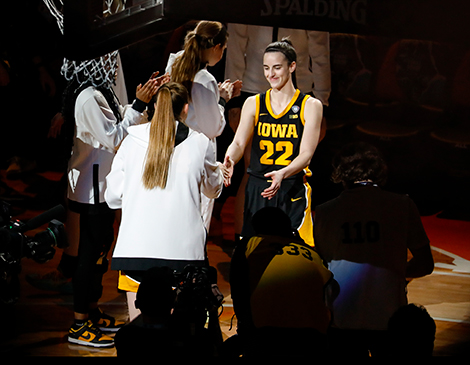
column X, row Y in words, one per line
column 97, row 125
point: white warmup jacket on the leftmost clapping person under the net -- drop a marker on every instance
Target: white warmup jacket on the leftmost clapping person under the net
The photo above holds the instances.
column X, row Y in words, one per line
column 97, row 136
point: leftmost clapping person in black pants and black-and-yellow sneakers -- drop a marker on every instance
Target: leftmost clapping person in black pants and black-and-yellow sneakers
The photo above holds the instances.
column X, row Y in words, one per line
column 99, row 124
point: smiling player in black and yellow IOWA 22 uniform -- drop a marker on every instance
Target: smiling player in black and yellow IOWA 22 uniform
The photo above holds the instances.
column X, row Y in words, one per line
column 284, row 125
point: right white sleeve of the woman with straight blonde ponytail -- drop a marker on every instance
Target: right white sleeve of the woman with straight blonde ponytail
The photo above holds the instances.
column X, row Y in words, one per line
column 213, row 178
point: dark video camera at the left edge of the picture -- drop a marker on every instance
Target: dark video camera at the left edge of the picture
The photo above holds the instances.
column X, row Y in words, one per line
column 15, row 245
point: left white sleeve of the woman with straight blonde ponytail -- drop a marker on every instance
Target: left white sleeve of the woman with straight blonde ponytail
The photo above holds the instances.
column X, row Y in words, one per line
column 115, row 182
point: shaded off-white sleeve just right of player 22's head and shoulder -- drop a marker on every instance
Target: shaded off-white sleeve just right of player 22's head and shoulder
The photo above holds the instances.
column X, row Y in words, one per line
column 319, row 50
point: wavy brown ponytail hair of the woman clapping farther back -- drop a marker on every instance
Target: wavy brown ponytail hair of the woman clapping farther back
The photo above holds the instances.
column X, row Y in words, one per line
column 207, row 34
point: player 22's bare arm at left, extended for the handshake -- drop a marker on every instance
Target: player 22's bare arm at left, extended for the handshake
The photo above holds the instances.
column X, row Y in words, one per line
column 242, row 136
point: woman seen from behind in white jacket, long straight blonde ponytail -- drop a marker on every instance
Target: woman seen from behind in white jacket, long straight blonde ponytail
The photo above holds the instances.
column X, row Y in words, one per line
column 167, row 165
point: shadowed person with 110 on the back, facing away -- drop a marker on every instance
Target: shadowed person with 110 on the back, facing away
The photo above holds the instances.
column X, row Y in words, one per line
column 364, row 236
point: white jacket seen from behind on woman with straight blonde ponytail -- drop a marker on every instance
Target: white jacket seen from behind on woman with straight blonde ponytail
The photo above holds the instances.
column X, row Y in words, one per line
column 162, row 227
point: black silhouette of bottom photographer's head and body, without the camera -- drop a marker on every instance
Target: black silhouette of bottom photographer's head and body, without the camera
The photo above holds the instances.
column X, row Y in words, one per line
column 159, row 330
